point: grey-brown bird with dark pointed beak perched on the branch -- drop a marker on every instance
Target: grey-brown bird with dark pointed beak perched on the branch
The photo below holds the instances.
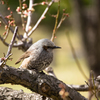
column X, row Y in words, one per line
column 39, row 55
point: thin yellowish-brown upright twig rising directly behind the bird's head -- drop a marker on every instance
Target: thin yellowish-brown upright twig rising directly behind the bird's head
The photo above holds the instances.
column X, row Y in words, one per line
column 56, row 22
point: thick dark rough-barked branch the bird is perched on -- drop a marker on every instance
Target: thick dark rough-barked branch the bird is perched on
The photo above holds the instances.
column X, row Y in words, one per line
column 37, row 82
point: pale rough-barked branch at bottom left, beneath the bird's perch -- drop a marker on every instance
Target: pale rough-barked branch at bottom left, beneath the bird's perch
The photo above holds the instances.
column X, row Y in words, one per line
column 10, row 94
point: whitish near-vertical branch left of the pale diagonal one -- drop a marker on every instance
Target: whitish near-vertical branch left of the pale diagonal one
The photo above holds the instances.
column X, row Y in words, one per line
column 29, row 18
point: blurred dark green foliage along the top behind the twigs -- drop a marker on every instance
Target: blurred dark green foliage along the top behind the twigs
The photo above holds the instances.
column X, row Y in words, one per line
column 48, row 21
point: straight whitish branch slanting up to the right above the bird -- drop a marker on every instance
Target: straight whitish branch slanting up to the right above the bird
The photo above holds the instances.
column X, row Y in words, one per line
column 40, row 19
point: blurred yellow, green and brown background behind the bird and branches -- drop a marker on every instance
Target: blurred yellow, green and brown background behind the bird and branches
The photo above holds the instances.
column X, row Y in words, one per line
column 83, row 26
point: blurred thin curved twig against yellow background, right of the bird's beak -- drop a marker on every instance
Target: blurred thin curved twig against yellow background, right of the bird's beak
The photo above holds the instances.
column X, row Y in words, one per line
column 75, row 57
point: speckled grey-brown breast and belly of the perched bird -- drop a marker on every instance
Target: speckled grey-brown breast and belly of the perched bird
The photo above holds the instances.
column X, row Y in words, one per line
column 41, row 61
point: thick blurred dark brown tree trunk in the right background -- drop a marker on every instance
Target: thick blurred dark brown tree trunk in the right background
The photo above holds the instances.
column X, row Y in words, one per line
column 89, row 18
